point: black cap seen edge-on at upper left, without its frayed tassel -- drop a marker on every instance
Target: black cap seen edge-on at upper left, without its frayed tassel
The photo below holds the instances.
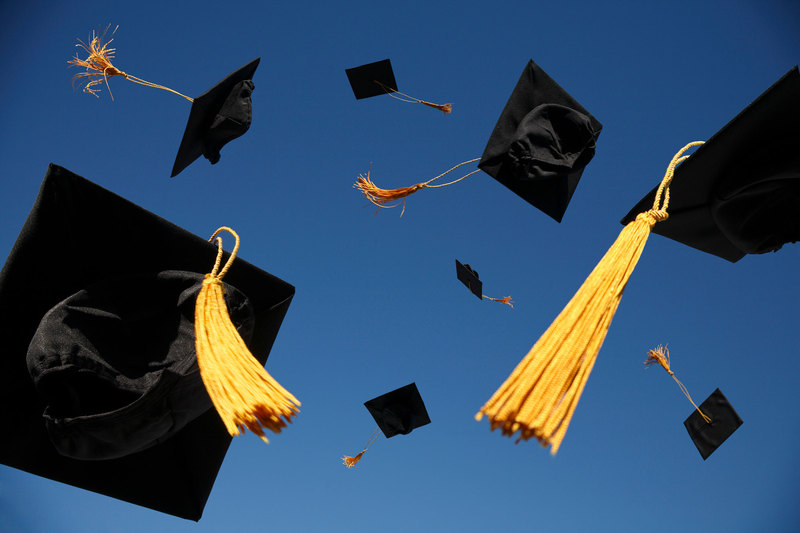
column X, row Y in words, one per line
column 218, row 116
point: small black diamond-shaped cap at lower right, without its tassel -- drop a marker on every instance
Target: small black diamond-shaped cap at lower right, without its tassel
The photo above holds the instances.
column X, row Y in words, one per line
column 708, row 436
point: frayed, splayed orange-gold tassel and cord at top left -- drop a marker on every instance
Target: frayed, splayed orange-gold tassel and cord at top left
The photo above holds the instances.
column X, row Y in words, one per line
column 98, row 65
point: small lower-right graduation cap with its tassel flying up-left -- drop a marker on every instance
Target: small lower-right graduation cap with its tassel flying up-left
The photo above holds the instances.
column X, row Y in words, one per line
column 712, row 422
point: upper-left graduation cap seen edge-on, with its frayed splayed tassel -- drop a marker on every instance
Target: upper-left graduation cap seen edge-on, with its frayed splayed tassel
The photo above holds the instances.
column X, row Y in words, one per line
column 218, row 116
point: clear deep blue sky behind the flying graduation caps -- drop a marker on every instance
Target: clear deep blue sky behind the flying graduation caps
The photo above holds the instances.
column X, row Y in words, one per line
column 378, row 304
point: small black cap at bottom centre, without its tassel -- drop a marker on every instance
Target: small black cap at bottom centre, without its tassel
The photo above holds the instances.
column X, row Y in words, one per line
column 399, row 412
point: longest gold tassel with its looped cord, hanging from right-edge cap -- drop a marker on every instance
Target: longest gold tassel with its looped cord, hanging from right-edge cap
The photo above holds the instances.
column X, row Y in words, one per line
column 539, row 397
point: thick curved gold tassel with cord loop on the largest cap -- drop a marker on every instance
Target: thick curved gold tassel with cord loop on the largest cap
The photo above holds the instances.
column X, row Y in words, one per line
column 244, row 394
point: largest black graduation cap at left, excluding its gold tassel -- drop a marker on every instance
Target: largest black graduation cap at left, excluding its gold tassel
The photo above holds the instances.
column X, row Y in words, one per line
column 86, row 251
